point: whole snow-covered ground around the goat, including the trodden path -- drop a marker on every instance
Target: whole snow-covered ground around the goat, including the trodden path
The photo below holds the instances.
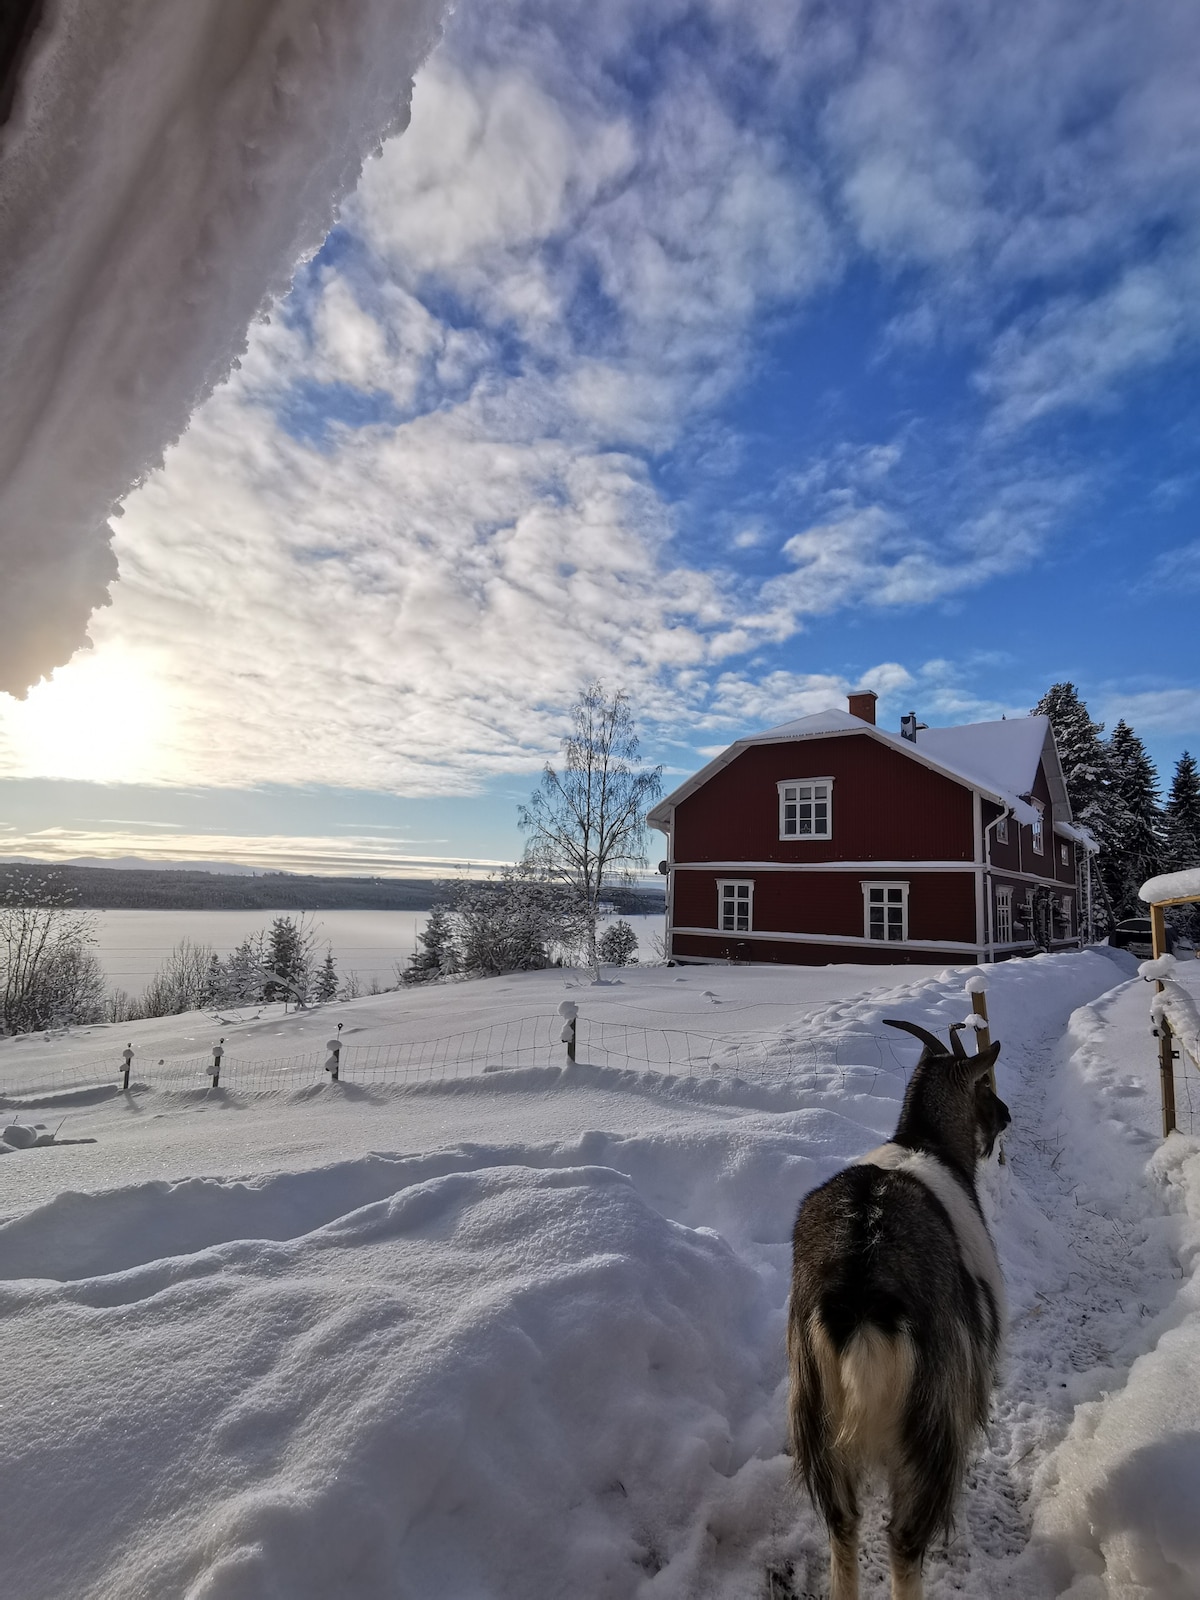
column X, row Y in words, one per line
column 521, row 1335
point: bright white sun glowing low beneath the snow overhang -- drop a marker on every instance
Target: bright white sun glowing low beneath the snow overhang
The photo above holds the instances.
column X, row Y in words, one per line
column 100, row 719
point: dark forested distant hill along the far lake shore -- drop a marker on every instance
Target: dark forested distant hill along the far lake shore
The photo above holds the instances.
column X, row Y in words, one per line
column 118, row 889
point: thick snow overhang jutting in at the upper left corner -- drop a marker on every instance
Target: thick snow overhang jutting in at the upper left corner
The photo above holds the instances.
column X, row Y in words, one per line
column 164, row 169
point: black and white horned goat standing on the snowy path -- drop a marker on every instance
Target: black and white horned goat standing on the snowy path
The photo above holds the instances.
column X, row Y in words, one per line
column 897, row 1318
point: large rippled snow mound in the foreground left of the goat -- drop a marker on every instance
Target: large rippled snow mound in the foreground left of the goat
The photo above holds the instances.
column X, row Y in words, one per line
column 498, row 1382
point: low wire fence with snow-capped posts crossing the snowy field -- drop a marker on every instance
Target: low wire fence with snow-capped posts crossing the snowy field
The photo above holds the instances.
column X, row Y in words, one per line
column 503, row 1047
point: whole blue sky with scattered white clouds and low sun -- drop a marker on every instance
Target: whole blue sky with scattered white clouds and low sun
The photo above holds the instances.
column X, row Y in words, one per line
column 732, row 353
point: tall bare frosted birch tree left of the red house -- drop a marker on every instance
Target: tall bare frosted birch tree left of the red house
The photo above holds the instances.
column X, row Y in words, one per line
column 588, row 822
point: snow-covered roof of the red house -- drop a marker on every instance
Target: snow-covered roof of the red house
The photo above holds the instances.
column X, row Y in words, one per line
column 999, row 759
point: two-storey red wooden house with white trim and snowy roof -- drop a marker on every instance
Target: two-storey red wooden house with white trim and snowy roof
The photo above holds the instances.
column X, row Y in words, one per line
column 833, row 841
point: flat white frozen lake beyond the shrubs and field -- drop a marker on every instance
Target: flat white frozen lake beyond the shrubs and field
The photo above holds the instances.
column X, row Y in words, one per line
column 132, row 945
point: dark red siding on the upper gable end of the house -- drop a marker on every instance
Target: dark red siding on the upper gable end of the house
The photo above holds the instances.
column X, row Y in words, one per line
column 887, row 807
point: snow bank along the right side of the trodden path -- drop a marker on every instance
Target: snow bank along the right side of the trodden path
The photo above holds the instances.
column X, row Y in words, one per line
column 1118, row 1502
